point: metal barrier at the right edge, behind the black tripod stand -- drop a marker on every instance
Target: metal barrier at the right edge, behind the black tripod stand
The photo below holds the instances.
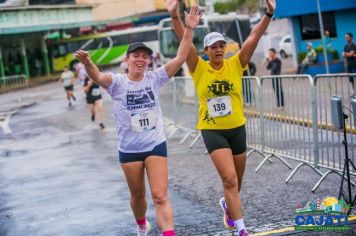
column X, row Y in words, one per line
column 330, row 149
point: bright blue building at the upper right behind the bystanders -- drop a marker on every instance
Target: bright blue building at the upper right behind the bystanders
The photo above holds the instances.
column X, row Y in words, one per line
column 338, row 18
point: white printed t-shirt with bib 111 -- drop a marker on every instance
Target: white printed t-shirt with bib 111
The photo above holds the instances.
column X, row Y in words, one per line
column 137, row 111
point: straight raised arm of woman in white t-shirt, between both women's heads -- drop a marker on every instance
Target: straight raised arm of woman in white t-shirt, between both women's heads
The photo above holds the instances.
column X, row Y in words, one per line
column 191, row 21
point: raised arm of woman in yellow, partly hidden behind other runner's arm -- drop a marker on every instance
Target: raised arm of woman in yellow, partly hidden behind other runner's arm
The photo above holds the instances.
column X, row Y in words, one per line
column 172, row 7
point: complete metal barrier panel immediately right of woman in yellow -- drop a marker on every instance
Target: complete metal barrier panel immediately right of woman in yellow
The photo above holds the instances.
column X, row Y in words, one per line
column 287, row 116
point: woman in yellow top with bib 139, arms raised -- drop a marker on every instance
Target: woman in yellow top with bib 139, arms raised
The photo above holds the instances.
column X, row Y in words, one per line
column 218, row 83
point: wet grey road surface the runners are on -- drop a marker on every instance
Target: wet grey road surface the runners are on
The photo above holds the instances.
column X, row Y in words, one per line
column 59, row 175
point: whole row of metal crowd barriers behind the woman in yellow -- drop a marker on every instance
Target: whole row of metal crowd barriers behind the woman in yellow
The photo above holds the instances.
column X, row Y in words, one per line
column 288, row 117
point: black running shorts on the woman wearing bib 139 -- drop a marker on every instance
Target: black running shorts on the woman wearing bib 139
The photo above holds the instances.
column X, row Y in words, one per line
column 235, row 139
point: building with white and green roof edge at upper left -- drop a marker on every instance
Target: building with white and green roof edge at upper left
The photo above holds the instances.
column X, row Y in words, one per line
column 23, row 30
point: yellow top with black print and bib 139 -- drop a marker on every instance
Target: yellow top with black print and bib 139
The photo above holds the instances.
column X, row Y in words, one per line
column 219, row 91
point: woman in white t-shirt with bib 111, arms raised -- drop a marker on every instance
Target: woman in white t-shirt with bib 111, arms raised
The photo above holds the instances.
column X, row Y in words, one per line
column 139, row 121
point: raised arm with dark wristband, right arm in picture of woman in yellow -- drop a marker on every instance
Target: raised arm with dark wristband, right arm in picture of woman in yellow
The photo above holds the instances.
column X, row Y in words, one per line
column 251, row 42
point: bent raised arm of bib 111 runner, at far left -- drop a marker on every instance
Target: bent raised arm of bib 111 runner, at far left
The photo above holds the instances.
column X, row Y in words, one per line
column 103, row 79
